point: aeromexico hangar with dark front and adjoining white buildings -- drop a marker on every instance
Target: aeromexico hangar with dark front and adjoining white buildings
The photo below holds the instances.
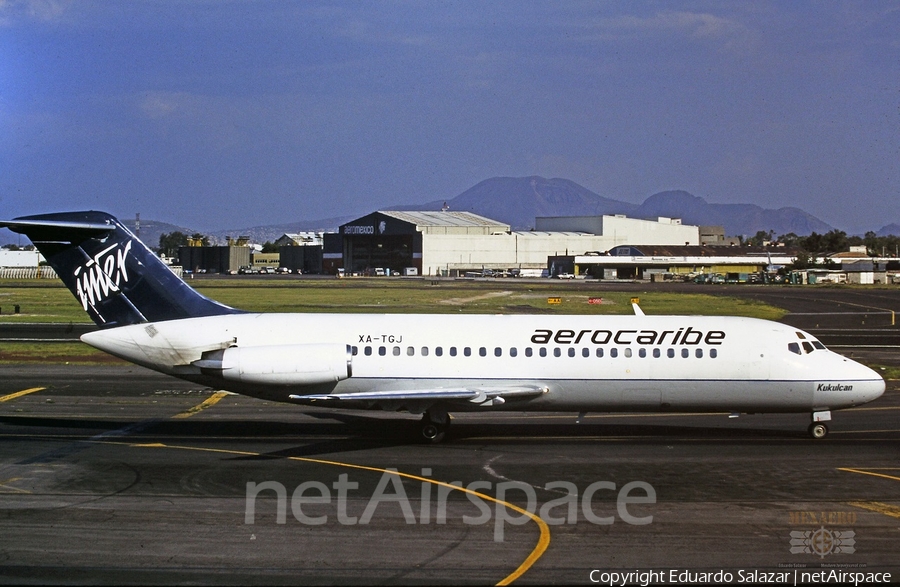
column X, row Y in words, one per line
column 450, row 243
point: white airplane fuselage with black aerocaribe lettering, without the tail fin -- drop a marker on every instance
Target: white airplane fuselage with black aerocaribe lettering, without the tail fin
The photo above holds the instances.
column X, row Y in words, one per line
column 583, row 363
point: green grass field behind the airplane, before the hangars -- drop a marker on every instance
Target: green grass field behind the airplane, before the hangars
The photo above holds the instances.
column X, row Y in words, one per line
column 50, row 302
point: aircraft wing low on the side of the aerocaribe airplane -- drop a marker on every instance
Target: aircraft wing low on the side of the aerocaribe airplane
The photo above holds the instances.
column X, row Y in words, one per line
column 477, row 395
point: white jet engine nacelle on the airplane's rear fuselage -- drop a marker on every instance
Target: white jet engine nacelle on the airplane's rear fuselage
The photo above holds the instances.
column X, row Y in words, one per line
column 296, row 364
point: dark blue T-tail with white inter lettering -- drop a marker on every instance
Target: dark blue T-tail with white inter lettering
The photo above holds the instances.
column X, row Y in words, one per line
column 114, row 276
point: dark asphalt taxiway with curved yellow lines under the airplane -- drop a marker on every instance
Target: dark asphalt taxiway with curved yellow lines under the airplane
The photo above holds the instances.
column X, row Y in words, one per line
column 115, row 474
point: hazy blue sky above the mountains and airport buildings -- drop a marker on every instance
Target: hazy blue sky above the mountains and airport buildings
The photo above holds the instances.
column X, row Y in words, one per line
column 219, row 114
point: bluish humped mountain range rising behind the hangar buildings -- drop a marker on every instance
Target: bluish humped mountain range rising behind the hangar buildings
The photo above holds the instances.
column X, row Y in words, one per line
column 518, row 200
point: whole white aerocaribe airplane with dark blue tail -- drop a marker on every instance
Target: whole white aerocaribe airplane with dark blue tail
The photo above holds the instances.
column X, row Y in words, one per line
column 434, row 364
